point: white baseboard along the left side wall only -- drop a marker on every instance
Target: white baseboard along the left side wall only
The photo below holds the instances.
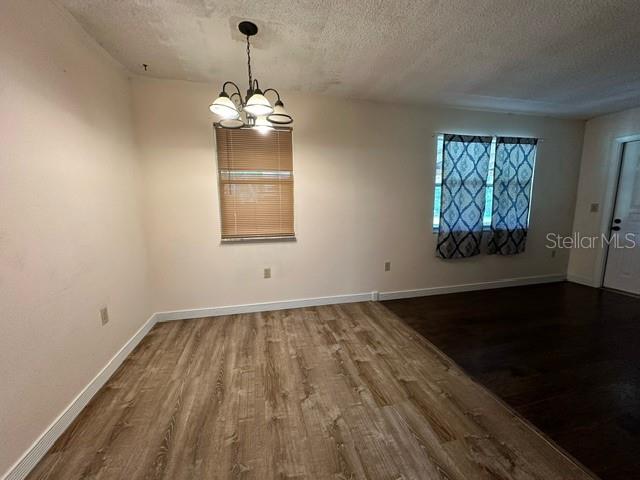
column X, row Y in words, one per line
column 33, row 455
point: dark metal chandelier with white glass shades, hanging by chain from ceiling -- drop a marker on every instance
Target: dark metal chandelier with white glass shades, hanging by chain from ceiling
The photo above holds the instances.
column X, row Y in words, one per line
column 254, row 110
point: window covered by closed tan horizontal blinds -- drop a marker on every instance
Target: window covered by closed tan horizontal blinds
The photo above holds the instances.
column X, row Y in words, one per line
column 256, row 183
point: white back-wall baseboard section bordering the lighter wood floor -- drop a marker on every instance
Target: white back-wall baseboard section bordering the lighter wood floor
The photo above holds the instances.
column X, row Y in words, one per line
column 263, row 307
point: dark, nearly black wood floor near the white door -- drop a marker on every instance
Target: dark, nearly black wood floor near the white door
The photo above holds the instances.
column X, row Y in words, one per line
column 566, row 357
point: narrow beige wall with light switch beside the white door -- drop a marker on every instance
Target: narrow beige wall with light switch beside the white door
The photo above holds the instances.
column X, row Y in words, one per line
column 598, row 177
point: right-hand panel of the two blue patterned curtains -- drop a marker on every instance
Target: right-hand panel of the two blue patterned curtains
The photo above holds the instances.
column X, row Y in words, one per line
column 513, row 174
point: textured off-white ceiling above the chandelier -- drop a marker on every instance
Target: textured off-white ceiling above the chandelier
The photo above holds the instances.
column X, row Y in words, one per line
column 574, row 58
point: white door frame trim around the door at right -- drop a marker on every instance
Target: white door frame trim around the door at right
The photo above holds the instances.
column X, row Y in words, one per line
column 609, row 204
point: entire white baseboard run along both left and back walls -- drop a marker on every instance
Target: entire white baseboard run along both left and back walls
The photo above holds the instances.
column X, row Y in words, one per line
column 29, row 460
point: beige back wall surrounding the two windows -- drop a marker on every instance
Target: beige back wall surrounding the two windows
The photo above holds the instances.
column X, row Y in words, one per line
column 363, row 193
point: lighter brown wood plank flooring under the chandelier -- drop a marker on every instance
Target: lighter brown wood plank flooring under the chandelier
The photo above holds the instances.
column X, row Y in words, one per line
column 336, row 392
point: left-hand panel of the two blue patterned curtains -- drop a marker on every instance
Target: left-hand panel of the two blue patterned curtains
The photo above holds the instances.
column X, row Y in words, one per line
column 465, row 165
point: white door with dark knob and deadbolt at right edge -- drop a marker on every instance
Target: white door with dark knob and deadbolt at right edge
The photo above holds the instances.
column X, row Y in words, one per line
column 623, row 260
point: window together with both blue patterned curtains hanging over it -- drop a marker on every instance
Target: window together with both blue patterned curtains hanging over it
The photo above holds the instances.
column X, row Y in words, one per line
column 482, row 183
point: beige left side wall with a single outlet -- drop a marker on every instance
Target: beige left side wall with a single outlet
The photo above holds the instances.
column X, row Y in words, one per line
column 71, row 239
